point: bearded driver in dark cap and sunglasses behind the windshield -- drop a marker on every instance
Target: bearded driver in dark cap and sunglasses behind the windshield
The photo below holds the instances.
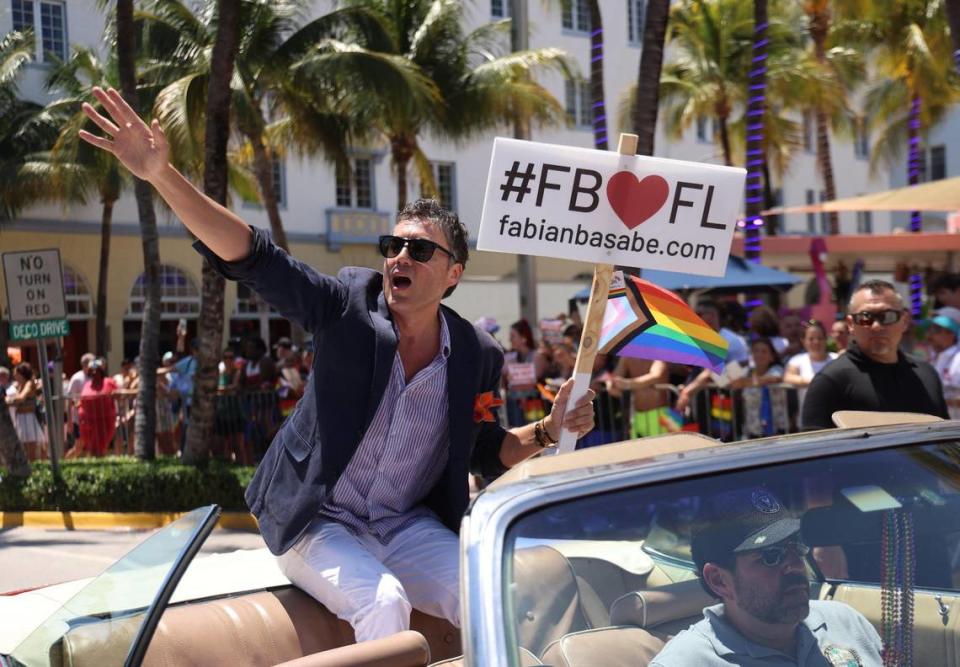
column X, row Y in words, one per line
column 748, row 553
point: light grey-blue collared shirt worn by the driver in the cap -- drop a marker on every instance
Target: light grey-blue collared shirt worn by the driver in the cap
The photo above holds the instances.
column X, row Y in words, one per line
column 832, row 634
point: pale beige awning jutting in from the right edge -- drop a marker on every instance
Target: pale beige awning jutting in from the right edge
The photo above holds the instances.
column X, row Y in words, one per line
column 942, row 195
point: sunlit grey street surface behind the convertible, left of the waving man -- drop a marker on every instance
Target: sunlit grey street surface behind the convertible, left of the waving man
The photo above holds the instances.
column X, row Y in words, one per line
column 34, row 557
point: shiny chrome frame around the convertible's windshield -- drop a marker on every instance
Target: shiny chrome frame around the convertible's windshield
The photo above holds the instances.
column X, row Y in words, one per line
column 493, row 511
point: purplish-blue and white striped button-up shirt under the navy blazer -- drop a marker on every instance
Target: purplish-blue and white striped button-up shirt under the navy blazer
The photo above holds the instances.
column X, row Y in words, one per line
column 402, row 454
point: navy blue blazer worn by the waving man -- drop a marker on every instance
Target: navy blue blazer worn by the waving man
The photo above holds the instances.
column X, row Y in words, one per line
column 355, row 345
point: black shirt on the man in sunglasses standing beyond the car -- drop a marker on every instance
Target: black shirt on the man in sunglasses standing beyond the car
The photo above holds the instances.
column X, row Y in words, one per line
column 854, row 381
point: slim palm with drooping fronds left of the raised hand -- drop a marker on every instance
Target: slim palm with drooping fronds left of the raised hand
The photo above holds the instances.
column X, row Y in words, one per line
column 72, row 169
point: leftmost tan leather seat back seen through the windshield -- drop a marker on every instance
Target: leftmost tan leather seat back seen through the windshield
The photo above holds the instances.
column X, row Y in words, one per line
column 543, row 618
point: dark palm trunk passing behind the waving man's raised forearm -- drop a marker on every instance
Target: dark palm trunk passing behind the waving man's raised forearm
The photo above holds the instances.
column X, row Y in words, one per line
column 215, row 182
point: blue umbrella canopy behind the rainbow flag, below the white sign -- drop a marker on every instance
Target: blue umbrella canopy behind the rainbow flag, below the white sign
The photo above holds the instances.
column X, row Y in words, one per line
column 740, row 276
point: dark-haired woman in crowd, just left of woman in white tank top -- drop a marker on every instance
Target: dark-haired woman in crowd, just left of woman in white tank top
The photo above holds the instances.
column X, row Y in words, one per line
column 764, row 413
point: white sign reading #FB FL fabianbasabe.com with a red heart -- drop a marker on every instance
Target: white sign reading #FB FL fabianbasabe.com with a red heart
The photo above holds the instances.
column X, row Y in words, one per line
column 606, row 208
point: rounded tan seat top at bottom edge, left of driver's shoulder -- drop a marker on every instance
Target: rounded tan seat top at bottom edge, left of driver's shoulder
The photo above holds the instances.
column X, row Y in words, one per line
column 610, row 647
